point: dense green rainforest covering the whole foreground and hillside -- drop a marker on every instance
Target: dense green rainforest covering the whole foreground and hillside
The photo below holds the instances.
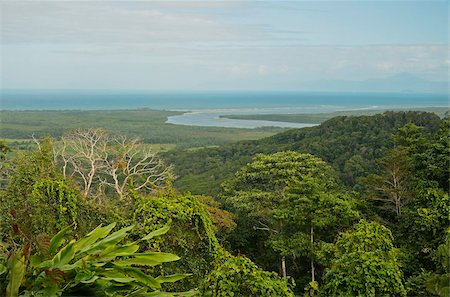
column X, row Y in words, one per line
column 358, row 206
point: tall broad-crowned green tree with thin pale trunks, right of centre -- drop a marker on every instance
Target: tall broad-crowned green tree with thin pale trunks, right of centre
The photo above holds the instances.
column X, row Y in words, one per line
column 294, row 197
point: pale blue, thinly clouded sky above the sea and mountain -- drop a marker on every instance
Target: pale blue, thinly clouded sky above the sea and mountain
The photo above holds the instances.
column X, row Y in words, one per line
column 219, row 45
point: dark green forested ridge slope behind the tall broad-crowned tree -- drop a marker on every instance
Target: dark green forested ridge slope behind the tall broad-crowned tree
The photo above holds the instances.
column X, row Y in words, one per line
column 350, row 144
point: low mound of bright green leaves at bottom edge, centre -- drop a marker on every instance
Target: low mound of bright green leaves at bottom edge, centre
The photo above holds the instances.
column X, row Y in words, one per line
column 238, row 276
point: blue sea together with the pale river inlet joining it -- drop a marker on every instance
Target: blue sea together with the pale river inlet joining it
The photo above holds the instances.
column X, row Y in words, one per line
column 205, row 108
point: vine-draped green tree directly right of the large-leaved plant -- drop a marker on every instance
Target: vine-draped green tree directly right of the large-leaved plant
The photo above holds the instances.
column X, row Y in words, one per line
column 192, row 235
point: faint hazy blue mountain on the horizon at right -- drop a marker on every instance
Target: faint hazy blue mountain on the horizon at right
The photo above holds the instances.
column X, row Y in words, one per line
column 402, row 82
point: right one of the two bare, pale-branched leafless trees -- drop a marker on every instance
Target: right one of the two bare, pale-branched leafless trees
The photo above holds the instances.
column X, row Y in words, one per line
column 134, row 167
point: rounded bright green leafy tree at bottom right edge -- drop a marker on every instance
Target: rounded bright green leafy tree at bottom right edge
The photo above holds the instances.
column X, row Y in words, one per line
column 365, row 265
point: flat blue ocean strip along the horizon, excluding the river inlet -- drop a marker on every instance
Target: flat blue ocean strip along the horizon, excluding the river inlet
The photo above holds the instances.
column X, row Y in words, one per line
column 91, row 100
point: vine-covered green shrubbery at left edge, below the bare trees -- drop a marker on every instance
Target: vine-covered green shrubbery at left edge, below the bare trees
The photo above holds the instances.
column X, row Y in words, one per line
column 53, row 204
